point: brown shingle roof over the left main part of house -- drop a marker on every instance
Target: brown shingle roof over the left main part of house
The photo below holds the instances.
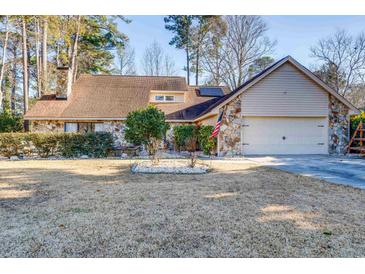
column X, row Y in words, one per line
column 114, row 96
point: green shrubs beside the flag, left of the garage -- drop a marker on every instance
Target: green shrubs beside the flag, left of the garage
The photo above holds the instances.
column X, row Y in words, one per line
column 184, row 133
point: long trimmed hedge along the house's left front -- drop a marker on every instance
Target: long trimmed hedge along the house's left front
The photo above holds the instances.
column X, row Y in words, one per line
column 97, row 144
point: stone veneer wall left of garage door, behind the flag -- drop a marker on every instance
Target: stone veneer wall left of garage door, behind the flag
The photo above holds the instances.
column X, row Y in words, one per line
column 230, row 131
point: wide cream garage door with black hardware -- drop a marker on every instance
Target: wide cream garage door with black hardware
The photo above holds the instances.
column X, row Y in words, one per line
column 273, row 135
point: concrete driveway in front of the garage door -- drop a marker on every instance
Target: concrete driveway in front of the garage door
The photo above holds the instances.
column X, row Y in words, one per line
column 339, row 170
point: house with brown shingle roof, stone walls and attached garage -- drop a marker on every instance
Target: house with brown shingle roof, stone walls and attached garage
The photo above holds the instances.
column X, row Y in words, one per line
column 285, row 109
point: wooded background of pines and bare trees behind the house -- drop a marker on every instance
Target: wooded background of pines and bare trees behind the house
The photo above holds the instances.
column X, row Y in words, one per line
column 42, row 55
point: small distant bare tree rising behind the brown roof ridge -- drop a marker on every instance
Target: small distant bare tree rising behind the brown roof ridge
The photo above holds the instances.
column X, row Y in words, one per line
column 155, row 62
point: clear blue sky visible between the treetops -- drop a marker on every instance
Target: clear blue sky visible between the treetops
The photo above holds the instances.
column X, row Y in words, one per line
column 294, row 34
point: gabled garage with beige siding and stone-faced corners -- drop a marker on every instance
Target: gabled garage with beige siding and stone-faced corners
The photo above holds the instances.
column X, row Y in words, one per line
column 285, row 109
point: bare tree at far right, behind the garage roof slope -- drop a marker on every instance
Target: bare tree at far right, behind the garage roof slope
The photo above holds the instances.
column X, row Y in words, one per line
column 343, row 60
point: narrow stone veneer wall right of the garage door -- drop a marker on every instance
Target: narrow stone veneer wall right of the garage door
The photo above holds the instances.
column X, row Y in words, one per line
column 338, row 126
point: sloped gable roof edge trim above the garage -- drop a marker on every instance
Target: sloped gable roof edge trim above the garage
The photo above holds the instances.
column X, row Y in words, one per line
column 245, row 86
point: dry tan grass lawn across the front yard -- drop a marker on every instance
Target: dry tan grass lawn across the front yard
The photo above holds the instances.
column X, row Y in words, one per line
column 97, row 208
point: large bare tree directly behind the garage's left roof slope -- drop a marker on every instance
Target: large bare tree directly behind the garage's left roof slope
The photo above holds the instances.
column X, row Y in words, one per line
column 228, row 59
